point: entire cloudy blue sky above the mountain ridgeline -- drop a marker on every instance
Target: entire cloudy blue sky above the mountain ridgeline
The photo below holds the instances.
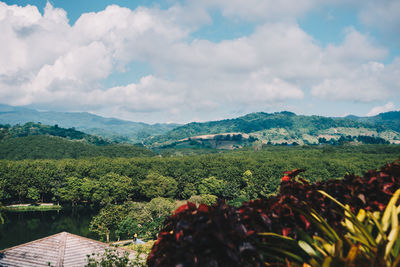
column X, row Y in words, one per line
column 200, row 60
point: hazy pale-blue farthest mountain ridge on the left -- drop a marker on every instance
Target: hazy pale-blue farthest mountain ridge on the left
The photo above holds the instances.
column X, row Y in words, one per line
column 111, row 128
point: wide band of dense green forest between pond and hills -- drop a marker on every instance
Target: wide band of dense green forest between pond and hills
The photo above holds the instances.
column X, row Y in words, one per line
column 242, row 174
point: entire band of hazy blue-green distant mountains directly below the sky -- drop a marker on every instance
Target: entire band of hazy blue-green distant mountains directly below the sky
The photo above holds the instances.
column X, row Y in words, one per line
column 265, row 128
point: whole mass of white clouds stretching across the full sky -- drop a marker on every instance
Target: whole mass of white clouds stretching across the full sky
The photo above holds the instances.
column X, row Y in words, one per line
column 48, row 62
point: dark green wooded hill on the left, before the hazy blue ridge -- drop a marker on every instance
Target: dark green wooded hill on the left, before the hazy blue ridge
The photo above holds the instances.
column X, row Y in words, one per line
column 38, row 141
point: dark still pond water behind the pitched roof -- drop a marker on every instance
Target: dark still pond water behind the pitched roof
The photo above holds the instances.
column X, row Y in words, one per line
column 22, row 227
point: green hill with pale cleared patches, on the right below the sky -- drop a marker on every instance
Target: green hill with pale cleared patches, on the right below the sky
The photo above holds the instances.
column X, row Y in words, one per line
column 289, row 128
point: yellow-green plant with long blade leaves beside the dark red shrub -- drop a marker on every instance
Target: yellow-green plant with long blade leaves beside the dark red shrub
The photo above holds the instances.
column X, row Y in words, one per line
column 369, row 239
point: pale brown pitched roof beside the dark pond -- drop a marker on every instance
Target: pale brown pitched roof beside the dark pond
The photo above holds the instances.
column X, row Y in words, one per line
column 62, row 249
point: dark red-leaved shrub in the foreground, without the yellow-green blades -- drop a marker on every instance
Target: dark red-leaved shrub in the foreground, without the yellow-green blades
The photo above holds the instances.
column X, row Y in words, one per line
column 224, row 235
